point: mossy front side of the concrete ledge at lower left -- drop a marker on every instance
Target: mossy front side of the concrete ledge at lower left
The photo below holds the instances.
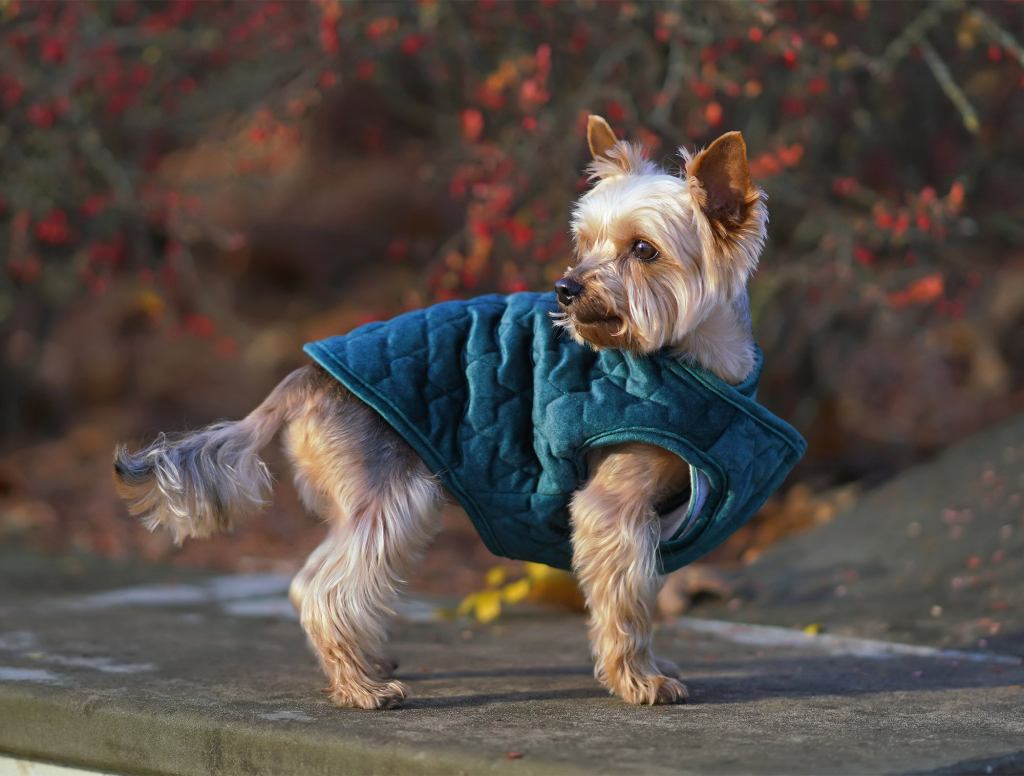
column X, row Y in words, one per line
column 141, row 739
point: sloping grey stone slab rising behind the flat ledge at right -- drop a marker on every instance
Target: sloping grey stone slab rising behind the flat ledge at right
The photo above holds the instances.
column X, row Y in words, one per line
column 934, row 557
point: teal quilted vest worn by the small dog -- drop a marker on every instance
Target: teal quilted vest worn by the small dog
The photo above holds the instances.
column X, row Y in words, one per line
column 504, row 409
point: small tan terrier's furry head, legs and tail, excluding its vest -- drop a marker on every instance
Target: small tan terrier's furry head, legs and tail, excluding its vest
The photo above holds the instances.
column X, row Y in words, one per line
column 662, row 264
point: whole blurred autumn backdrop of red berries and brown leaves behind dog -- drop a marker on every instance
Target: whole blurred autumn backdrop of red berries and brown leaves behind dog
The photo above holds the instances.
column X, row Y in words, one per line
column 191, row 191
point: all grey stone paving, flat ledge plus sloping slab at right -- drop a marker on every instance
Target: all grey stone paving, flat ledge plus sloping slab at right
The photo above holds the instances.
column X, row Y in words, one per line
column 130, row 670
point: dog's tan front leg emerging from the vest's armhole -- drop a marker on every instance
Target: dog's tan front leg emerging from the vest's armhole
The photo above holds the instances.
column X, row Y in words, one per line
column 615, row 539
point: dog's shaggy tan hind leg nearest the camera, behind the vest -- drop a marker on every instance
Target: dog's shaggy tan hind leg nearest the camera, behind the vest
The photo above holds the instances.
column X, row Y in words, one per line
column 380, row 503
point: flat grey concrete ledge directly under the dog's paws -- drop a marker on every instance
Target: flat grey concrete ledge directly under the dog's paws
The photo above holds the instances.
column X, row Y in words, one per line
column 211, row 676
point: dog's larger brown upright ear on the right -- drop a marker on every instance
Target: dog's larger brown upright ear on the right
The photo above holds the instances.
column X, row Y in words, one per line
column 726, row 181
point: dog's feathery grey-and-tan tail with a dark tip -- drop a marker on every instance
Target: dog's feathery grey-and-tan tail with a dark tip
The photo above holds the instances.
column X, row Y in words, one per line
column 201, row 484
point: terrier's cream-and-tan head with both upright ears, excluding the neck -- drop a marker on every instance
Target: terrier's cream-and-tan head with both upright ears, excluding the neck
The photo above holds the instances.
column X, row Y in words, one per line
column 656, row 253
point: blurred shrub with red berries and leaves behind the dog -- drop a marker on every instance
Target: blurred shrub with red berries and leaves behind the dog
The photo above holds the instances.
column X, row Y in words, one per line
column 887, row 136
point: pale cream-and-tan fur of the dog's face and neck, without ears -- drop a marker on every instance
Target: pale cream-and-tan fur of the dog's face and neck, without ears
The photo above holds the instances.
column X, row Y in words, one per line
column 692, row 299
